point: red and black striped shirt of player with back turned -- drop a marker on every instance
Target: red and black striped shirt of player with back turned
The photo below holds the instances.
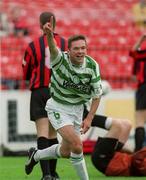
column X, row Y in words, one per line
column 36, row 62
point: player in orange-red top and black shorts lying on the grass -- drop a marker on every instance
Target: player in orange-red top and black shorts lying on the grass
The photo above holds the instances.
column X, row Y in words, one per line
column 107, row 156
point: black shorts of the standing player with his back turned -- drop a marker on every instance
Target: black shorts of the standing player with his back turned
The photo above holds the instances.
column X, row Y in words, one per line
column 38, row 101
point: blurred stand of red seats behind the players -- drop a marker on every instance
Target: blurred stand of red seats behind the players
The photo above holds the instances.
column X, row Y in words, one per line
column 109, row 26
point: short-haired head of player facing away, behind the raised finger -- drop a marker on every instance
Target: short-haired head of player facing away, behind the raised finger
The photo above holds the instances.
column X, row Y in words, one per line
column 45, row 17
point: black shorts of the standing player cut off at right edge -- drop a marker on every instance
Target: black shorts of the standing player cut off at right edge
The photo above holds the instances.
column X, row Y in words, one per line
column 141, row 98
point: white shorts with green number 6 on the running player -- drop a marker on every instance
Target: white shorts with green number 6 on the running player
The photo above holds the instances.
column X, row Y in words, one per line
column 61, row 115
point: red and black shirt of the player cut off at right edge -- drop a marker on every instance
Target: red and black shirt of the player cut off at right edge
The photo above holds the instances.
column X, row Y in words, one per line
column 139, row 67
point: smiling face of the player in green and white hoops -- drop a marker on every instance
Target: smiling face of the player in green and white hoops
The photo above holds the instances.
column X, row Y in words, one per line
column 77, row 52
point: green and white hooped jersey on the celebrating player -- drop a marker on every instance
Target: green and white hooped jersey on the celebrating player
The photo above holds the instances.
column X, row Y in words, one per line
column 74, row 85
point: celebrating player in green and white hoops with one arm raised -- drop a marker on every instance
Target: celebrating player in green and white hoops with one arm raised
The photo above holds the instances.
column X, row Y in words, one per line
column 75, row 80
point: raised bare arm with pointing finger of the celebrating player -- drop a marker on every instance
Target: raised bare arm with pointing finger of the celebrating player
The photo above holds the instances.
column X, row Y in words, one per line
column 48, row 29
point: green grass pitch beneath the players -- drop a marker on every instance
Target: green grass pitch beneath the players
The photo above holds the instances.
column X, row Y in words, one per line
column 12, row 168
